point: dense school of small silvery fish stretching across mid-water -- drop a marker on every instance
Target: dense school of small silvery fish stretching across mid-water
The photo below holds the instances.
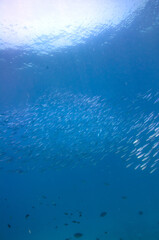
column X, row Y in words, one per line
column 64, row 129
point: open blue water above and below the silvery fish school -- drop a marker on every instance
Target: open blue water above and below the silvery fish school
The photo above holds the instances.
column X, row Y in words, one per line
column 126, row 66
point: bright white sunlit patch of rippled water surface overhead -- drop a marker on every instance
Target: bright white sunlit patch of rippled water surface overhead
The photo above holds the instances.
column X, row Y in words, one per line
column 52, row 24
